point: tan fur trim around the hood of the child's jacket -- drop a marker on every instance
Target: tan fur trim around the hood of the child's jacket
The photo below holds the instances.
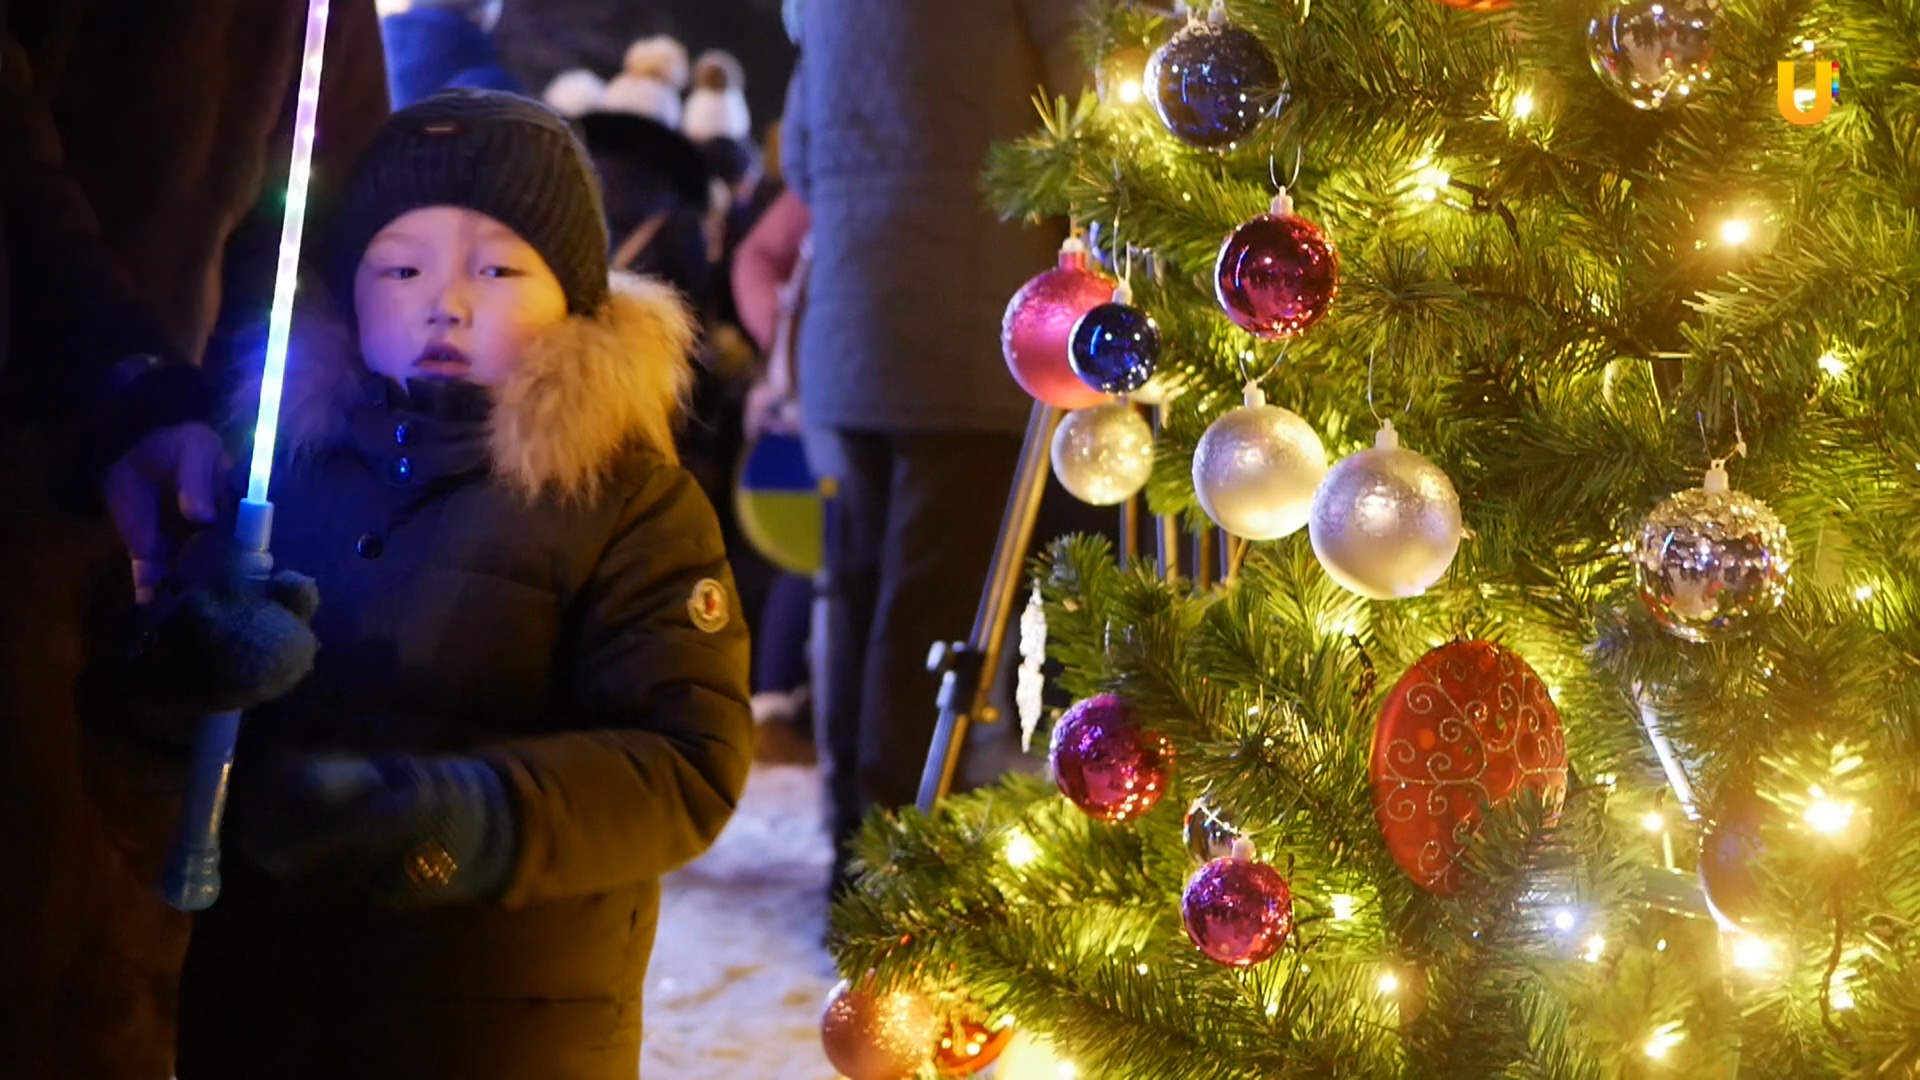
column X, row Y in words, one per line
column 587, row 391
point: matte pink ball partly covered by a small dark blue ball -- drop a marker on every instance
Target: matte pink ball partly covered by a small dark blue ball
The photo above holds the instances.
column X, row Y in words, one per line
column 1040, row 322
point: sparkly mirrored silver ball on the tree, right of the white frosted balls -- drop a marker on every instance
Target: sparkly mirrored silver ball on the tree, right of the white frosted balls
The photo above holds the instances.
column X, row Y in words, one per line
column 1712, row 562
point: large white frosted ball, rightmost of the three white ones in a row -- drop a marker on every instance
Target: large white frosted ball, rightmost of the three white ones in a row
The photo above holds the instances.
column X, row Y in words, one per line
column 1385, row 522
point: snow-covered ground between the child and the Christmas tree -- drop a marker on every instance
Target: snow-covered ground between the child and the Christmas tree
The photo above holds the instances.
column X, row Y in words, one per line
column 740, row 973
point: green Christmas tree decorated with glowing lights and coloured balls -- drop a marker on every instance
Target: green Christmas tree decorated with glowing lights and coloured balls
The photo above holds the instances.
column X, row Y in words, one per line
column 1556, row 710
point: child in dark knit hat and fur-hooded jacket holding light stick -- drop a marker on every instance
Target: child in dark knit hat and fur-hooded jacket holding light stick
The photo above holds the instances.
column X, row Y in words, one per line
column 531, row 689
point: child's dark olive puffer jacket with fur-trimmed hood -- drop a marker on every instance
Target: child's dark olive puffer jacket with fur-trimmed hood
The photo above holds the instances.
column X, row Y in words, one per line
column 525, row 576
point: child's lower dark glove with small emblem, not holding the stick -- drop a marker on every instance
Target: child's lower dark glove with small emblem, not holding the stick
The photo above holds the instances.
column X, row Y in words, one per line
column 395, row 831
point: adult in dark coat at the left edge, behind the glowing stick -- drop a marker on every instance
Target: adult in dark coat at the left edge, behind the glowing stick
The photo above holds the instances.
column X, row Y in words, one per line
column 139, row 135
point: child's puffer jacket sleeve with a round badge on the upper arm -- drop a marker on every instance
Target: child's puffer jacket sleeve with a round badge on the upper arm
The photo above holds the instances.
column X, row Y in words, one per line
column 660, row 672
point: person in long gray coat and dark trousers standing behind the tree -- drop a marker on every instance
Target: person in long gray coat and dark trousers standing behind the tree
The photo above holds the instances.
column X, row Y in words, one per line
column 907, row 401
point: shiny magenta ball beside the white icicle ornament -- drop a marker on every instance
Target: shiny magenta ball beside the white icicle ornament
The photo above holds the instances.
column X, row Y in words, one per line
column 1105, row 764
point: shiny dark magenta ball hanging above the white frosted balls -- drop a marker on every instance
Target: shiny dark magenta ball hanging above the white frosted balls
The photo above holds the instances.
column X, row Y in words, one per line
column 1278, row 274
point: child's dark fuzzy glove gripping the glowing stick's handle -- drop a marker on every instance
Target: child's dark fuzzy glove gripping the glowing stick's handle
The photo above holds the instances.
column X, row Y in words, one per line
column 218, row 650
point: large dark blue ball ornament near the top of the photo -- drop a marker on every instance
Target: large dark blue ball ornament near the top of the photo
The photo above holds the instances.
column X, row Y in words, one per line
column 1212, row 84
